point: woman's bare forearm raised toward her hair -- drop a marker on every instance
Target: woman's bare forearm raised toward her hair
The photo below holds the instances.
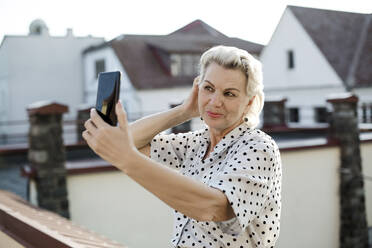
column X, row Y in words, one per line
column 144, row 129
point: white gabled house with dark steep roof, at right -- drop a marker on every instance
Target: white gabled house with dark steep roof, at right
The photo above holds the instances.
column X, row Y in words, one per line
column 314, row 53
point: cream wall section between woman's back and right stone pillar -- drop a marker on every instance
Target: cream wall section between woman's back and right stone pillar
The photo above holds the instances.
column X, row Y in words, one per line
column 310, row 199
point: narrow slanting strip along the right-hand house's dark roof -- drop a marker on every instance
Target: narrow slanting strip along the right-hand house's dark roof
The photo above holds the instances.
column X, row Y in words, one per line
column 349, row 82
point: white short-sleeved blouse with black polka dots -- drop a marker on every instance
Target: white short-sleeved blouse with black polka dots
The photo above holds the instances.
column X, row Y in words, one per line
column 246, row 166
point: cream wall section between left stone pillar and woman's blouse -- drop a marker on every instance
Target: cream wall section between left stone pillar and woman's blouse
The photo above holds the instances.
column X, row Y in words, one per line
column 112, row 204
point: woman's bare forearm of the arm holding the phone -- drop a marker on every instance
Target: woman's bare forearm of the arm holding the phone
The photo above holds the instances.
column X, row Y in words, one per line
column 184, row 194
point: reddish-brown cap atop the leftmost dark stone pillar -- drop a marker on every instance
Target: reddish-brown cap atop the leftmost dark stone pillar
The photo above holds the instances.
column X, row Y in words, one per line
column 46, row 107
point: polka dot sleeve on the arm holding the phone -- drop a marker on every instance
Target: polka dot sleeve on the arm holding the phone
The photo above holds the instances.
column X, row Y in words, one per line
column 247, row 178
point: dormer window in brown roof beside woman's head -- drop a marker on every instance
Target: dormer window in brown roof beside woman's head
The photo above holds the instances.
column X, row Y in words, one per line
column 184, row 64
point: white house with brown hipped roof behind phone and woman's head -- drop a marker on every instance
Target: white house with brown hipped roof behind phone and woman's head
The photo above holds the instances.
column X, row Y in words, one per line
column 157, row 71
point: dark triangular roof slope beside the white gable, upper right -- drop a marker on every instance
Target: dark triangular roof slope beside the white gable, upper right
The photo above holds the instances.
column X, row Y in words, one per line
column 336, row 21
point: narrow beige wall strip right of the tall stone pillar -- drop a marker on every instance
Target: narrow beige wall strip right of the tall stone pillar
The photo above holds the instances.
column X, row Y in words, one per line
column 366, row 153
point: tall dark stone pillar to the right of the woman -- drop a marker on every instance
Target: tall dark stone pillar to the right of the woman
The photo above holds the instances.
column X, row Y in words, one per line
column 344, row 129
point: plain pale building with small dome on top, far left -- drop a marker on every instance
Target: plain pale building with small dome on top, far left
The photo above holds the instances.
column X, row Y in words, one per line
column 38, row 67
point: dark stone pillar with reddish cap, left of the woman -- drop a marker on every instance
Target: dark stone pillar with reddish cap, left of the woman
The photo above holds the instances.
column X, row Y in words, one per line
column 47, row 155
